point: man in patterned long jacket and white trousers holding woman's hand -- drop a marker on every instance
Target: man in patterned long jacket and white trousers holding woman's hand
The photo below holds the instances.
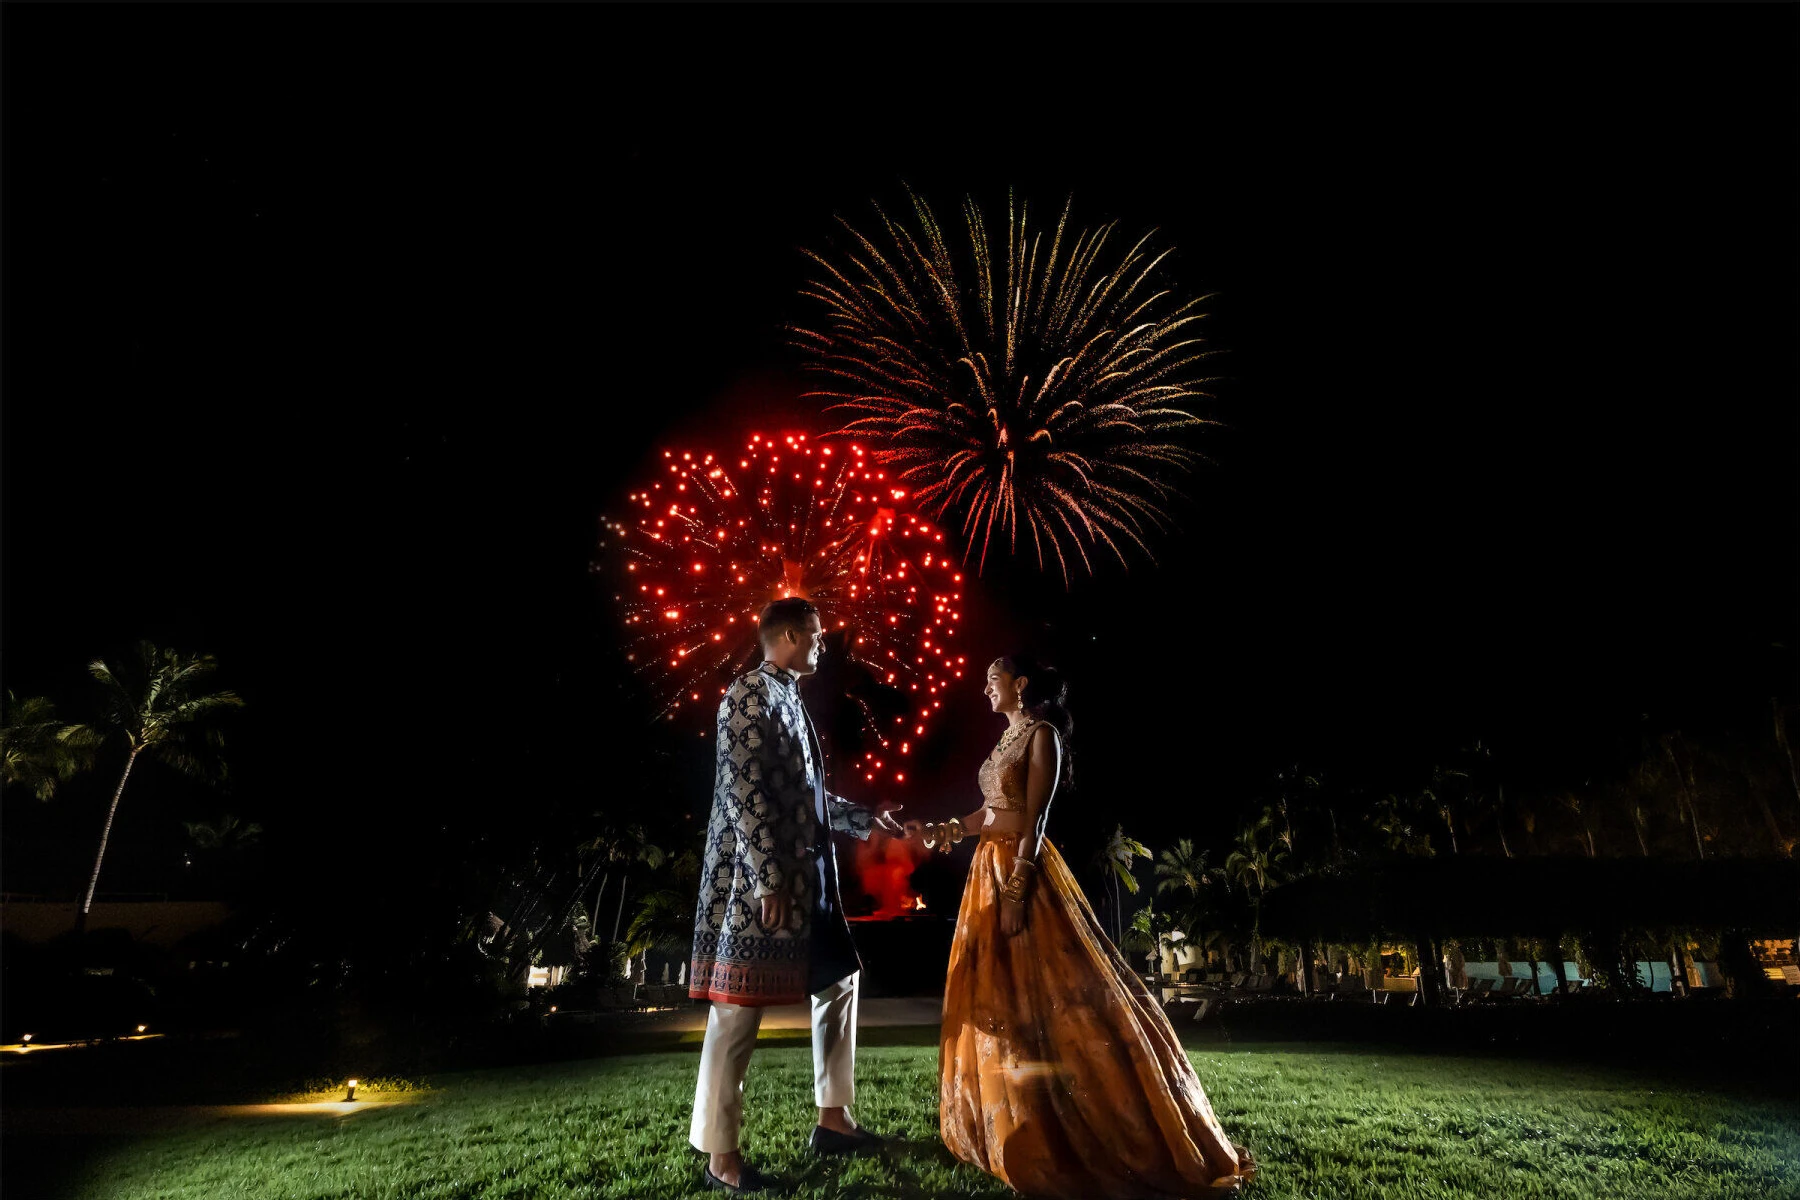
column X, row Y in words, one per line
column 771, row 924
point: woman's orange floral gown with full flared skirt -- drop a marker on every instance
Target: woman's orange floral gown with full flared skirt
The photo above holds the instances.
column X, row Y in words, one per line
column 1059, row 1073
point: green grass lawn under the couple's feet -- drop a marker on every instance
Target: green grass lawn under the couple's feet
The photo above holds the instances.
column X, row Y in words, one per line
column 1326, row 1122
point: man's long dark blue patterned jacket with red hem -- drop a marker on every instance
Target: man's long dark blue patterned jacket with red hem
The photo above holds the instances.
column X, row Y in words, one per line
column 769, row 832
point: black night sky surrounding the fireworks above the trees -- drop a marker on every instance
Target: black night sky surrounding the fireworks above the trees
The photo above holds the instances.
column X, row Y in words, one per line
column 330, row 336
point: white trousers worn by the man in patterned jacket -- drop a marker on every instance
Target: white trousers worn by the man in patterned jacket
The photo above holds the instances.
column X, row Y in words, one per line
column 726, row 1055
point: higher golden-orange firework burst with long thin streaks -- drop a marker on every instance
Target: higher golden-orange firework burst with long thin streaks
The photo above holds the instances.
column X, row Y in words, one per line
column 1050, row 399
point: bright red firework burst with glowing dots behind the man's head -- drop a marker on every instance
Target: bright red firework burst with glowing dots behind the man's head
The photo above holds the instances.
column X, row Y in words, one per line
column 719, row 537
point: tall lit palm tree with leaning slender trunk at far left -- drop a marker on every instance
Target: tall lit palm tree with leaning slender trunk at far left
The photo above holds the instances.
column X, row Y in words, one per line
column 161, row 704
